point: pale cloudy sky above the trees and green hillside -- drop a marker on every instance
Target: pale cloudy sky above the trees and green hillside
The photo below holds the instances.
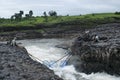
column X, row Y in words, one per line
column 63, row 7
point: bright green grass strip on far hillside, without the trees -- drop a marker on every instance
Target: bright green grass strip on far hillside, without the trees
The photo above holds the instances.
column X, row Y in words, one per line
column 85, row 20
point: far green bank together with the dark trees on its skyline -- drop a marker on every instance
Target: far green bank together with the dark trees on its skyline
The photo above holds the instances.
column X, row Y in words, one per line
column 17, row 22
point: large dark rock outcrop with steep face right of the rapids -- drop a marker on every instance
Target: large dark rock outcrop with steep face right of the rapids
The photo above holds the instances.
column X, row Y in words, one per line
column 99, row 56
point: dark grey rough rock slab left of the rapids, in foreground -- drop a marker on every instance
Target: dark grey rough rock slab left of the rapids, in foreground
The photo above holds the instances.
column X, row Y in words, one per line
column 15, row 64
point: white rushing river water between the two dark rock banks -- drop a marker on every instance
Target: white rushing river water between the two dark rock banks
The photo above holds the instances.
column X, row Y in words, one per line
column 47, row 53
